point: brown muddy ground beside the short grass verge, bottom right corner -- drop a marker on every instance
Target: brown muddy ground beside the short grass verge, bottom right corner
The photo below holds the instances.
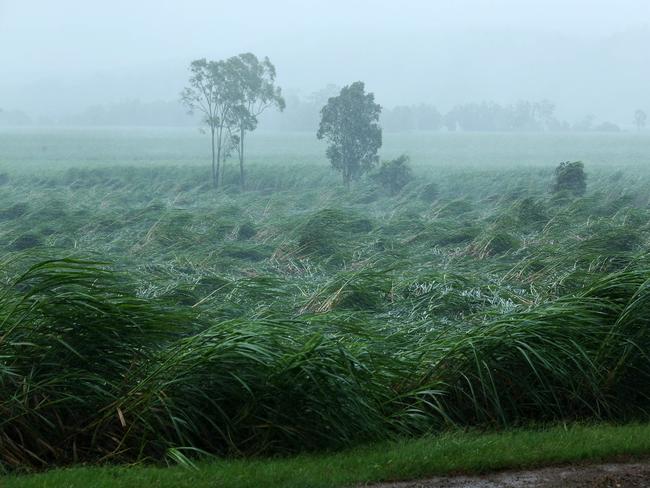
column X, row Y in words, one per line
column 612, row 475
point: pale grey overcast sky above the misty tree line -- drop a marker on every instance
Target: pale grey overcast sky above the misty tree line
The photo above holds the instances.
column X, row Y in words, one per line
column 59, row 56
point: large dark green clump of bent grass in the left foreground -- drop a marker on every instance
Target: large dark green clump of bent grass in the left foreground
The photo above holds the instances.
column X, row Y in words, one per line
column 71, row 335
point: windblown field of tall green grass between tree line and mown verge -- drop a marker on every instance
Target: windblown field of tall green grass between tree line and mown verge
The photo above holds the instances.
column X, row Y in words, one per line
column 146, row 317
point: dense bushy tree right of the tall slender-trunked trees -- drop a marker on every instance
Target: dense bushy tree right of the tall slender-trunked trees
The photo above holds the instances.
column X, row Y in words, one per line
column 350, row 125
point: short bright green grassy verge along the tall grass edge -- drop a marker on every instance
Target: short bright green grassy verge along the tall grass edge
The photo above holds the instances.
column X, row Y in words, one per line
column 445, row 454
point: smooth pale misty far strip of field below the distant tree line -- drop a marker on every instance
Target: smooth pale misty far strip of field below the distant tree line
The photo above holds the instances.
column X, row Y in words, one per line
column 63, row 148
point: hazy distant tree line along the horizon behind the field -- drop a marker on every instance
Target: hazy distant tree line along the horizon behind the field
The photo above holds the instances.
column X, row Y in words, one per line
column 303, row 114
